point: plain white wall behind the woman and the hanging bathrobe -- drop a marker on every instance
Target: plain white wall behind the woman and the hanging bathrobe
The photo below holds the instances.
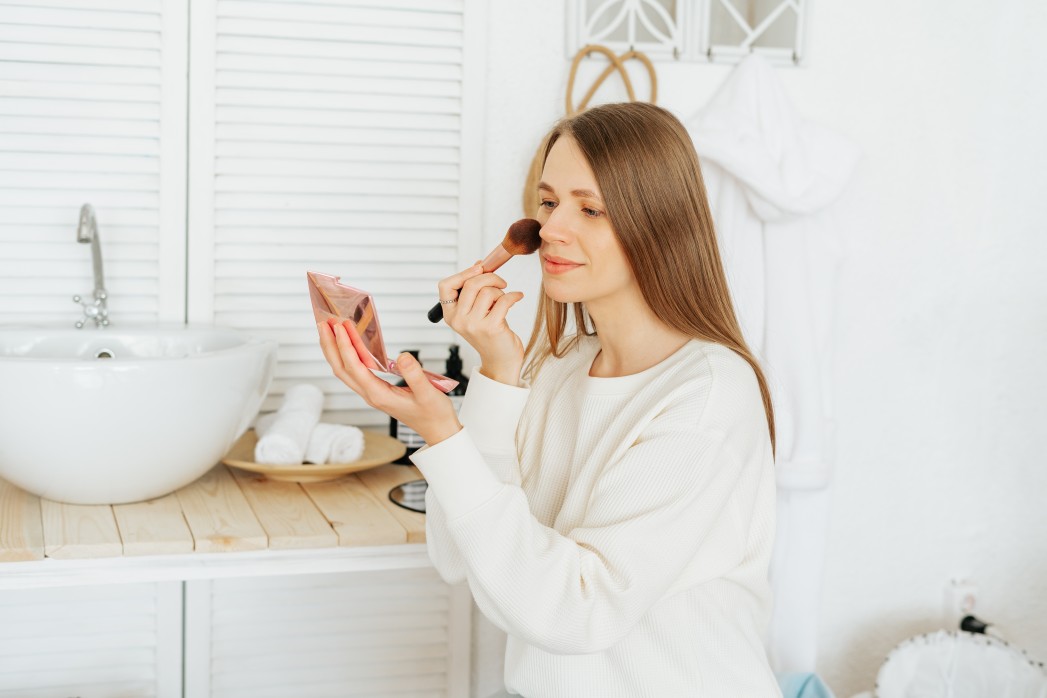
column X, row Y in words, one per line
column 943, row 304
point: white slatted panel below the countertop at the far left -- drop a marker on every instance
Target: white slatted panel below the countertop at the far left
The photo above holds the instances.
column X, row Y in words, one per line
column 105, row 641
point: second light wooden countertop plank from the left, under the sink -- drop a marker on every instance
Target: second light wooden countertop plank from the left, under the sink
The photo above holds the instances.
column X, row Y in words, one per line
column 80, row 531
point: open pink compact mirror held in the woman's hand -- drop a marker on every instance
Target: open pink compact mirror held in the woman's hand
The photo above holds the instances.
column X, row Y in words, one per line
column 355, row 310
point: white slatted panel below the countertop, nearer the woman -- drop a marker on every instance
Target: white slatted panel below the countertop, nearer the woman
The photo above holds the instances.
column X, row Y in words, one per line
column 374, row 635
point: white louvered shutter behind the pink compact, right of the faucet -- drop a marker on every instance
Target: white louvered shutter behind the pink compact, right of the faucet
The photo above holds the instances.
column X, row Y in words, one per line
column 327, row 137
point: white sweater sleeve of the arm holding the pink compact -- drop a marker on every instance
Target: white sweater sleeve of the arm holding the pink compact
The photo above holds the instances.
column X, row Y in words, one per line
column 664, row 514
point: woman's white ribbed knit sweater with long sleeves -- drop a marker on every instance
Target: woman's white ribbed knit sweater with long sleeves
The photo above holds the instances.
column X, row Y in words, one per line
column 619, row 530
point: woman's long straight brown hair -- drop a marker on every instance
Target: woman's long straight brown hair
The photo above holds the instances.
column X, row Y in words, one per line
column 651, row 182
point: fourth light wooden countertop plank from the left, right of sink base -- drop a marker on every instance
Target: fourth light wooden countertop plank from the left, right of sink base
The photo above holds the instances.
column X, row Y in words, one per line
column 219, row 516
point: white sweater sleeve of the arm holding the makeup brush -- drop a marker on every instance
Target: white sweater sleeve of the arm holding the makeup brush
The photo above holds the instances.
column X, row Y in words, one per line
column 492, row 410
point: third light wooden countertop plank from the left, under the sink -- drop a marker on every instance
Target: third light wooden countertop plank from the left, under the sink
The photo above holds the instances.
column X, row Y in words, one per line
column 153, row 528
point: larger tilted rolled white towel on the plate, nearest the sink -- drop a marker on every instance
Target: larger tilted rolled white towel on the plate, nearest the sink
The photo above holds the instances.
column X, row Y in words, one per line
column 285, row 438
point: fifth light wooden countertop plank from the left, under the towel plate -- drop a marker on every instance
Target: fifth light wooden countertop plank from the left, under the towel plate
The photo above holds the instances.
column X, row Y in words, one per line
column 288, row 515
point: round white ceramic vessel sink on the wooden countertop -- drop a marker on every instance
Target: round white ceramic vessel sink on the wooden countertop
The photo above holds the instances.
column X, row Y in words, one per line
column 113, row 416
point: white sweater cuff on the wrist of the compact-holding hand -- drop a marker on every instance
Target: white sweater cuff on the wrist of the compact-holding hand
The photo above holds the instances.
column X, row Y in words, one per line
column 457, row 475
